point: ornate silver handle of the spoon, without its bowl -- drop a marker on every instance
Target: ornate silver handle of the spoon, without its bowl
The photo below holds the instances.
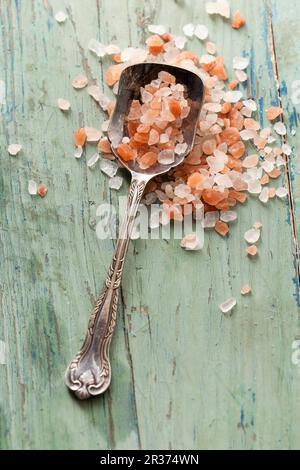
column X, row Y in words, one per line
column 89, row 373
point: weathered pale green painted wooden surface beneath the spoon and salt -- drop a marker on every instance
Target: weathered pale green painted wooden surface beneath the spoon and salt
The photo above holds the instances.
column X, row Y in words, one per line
column 184, row 376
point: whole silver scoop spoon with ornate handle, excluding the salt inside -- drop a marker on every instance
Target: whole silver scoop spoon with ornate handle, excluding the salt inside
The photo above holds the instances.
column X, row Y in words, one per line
column 89, row 373
